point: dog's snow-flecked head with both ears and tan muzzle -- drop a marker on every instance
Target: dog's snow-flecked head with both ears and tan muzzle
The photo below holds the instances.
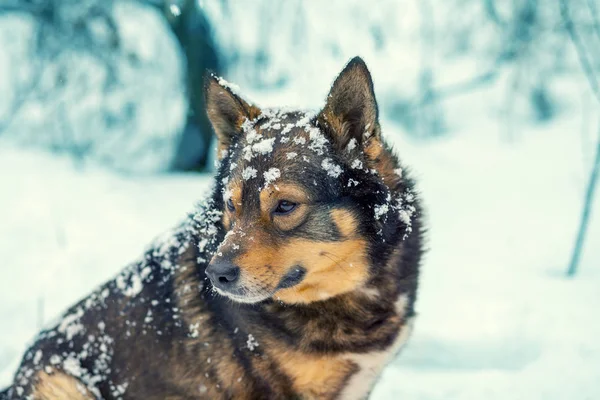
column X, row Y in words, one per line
column 304, row 197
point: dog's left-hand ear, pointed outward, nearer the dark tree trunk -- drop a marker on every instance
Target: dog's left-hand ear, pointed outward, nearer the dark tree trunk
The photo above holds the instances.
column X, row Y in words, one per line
column 226, row 111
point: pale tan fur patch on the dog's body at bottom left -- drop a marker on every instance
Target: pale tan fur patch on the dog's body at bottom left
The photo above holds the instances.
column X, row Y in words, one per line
column 59, row 386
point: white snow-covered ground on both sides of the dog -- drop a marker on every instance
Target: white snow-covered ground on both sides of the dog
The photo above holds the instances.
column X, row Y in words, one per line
column 498, row 320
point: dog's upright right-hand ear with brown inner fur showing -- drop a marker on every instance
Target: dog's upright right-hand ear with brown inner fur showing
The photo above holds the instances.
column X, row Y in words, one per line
column 351, row 109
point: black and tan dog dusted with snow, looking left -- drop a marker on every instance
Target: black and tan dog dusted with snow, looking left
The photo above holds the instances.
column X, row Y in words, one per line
column 296, row 278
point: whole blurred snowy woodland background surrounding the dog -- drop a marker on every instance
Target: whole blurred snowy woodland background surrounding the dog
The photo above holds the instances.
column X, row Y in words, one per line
column 104, row 143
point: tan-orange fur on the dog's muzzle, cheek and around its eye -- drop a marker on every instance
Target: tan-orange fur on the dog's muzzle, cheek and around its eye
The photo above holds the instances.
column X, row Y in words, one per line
column 332, row 268
